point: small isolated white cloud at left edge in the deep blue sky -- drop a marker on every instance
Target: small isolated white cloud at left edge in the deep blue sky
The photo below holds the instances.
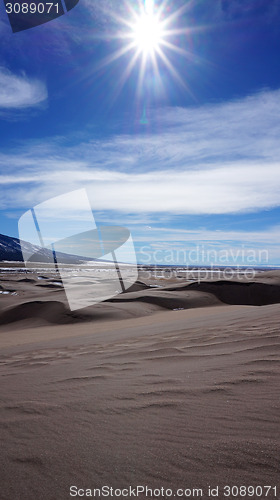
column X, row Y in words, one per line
column 18, row 92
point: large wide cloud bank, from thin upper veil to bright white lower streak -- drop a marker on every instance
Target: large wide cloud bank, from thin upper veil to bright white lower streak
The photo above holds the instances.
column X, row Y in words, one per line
column 216, row 159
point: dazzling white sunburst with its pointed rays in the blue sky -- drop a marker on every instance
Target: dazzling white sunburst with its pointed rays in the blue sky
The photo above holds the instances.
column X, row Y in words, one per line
column 148, row 32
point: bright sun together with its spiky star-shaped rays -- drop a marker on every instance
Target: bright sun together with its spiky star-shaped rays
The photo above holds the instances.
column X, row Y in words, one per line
column 147, row 38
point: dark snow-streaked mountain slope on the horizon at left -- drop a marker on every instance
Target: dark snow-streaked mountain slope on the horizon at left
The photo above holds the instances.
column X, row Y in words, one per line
column 10, row 250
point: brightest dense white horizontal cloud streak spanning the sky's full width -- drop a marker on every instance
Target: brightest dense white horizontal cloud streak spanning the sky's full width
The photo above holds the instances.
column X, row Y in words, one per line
column 232, row 188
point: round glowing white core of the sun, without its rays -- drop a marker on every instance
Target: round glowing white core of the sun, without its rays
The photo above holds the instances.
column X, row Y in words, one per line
column 148, row 33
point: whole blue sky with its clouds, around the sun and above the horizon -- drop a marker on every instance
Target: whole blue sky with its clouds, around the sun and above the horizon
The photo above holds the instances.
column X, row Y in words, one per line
column 201, row 173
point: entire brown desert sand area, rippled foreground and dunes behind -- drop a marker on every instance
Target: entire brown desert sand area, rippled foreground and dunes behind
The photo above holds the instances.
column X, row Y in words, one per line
column 171, row 387
